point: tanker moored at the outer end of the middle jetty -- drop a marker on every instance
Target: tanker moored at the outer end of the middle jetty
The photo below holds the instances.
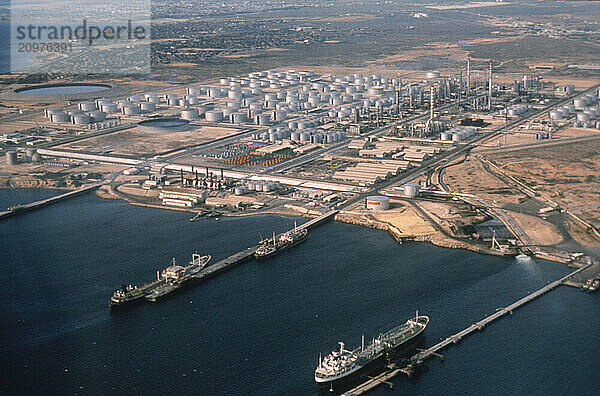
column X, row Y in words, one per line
column 171, row 278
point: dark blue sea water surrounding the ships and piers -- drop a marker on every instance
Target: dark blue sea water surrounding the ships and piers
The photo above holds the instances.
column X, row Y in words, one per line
column 258, row 328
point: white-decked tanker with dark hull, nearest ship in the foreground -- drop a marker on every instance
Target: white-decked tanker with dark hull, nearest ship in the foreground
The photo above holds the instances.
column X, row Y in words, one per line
column 343, row 365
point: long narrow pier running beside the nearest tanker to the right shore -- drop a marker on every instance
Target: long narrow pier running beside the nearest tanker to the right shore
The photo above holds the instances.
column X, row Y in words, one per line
column 422, row 356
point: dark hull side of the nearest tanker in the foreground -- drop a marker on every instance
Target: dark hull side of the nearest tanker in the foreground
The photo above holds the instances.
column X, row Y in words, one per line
column 374, row 366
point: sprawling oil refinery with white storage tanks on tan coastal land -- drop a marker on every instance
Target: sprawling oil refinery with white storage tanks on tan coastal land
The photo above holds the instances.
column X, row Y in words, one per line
column 464, row 158
